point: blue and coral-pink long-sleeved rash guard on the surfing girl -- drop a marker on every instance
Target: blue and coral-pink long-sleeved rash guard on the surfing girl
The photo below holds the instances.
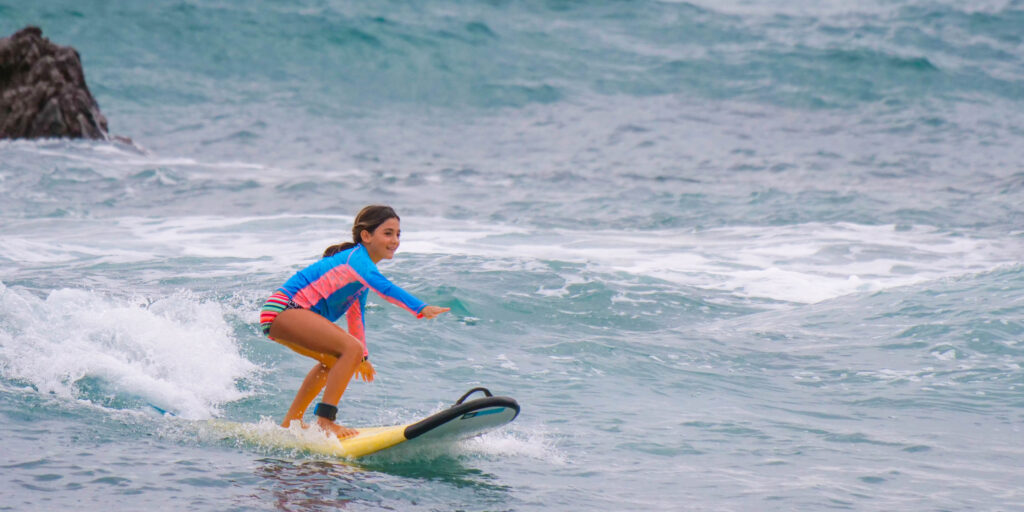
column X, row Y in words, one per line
column 339, row 285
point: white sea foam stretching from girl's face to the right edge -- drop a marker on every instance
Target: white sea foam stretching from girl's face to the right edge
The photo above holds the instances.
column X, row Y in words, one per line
column 799, row 264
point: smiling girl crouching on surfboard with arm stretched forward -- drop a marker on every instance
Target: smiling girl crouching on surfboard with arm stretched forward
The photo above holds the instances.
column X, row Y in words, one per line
column 302, row 315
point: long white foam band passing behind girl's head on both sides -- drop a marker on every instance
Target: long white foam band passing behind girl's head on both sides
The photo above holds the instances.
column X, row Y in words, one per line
column 803, row 264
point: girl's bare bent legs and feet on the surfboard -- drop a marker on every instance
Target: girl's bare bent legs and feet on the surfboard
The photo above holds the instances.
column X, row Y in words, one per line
column 314, row 336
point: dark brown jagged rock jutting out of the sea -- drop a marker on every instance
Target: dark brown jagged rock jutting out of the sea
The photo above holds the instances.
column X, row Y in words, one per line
column 44, row 92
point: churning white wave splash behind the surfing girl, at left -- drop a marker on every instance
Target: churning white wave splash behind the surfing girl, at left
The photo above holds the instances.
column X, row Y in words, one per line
column 177, row 353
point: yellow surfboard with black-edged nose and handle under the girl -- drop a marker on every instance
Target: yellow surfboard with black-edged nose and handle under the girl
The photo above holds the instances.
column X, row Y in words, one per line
column 462, row 420
